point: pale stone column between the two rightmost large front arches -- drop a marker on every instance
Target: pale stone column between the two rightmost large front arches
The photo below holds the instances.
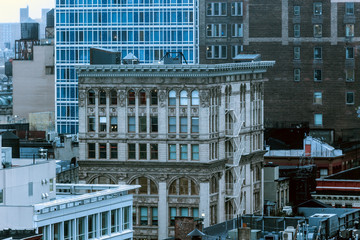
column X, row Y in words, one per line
column 163, row 212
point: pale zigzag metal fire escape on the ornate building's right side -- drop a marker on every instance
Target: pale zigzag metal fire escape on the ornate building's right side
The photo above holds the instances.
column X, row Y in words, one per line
column 234, row 149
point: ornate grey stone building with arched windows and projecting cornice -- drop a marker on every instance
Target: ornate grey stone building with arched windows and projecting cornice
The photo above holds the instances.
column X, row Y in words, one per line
column 190, row 135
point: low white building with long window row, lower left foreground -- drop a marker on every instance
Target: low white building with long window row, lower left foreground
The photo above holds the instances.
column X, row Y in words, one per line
column 30, row 199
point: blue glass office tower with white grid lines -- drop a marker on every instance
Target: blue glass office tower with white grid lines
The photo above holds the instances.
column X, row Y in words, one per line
column 146, row 28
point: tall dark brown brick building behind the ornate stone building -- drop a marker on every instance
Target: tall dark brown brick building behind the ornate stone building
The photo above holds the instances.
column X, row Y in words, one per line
column 314, row 44
